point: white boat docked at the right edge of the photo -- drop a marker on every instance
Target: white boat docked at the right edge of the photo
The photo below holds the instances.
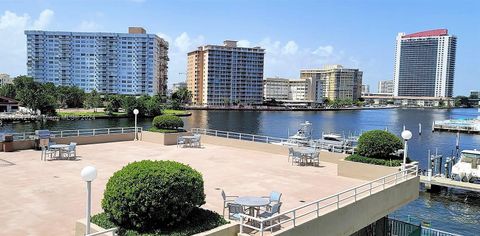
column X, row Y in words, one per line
column 467, row 169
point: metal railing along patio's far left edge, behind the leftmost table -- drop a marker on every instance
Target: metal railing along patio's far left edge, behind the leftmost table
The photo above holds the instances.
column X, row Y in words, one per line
column 78, row 132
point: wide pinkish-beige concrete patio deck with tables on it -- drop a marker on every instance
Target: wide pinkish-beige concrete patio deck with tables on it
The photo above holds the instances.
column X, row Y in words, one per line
column 46, row 198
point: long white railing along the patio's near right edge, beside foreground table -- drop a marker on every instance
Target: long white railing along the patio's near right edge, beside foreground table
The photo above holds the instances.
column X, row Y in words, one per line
column 327, row 204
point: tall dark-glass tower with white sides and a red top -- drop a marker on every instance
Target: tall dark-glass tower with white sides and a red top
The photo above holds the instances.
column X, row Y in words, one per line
column 425, row 64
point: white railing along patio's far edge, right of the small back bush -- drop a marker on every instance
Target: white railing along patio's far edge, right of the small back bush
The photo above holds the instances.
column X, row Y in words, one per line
column 239, row 136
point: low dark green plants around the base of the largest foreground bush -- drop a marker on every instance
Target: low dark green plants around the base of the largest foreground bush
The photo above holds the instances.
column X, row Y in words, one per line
column 199, row 220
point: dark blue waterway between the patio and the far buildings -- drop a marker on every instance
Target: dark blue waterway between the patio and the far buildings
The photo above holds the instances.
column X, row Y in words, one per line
column 450, row 210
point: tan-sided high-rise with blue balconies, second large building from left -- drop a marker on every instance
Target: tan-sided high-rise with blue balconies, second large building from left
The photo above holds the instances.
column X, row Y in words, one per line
column 221, row 75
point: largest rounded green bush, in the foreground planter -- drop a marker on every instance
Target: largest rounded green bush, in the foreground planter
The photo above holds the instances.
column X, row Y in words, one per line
column 149, row 195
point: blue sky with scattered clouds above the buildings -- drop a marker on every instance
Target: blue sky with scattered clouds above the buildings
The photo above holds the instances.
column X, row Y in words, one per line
column 296, row 34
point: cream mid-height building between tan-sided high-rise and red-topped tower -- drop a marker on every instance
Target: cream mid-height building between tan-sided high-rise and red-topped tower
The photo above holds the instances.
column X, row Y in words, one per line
column 334, row 82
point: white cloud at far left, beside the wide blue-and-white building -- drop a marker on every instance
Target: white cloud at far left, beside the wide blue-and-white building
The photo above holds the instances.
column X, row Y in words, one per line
column 13, row 40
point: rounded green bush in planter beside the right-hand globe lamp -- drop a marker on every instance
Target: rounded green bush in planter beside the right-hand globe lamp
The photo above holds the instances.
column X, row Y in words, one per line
column 379, row 144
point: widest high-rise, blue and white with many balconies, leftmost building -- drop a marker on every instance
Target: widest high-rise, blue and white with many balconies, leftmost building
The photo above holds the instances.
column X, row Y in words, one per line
column 131, row 63
